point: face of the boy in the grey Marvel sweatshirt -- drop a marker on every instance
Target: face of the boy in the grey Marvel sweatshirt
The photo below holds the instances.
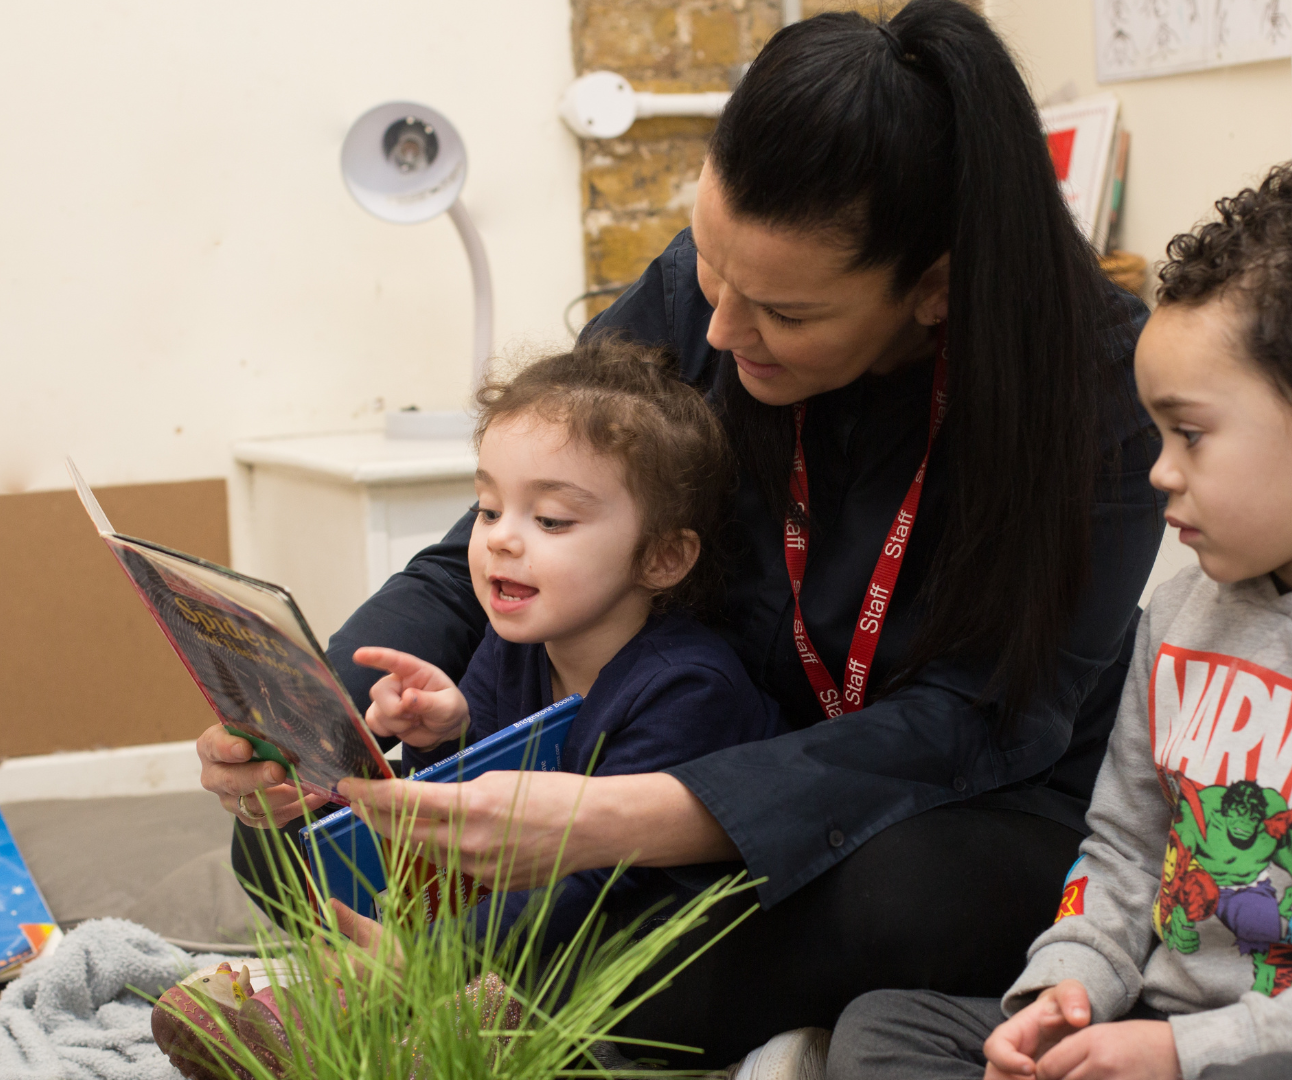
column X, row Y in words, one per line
column 1227, row 441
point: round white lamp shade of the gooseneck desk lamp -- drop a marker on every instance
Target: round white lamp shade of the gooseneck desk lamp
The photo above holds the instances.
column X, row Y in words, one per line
column 412, row 194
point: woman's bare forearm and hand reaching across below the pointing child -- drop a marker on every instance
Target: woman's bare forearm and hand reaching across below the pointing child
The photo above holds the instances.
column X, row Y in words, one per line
column 649, row 820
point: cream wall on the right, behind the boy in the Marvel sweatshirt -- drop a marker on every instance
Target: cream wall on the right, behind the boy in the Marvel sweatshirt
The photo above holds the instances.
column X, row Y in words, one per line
column 1193, row 138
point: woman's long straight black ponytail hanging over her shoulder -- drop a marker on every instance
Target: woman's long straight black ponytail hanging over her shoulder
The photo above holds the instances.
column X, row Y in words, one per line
column 1026, row 315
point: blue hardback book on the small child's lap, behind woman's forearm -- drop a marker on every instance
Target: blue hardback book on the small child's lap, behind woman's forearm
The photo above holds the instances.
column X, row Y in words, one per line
column 342, row 842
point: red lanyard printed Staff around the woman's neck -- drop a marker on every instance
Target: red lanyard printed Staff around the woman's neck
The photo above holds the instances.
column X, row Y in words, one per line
column 866, row 638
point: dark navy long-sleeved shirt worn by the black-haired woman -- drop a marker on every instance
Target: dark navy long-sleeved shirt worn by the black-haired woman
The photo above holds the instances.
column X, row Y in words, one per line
column 798, row 804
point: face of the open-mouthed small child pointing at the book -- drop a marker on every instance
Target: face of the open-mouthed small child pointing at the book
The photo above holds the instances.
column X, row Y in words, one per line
column 552, row 551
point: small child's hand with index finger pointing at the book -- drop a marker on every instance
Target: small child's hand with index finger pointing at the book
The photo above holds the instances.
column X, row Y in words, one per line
column 417, row 701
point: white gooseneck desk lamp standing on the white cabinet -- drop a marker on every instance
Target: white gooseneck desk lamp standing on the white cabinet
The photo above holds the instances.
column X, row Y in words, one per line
column 406, row 163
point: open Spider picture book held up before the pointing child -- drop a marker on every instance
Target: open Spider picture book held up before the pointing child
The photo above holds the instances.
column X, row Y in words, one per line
column 254, row 657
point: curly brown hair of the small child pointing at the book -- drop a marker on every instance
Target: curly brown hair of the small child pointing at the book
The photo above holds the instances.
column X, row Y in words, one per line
column 627, row 400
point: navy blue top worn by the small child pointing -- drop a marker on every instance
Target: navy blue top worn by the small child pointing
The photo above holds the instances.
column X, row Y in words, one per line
column 676, row 692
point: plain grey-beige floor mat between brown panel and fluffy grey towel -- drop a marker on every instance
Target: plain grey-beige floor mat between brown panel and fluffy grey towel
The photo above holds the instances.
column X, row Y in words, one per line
column 161, row 861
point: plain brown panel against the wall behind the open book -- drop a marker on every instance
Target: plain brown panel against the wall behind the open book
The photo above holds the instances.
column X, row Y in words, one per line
column 82, row 662
